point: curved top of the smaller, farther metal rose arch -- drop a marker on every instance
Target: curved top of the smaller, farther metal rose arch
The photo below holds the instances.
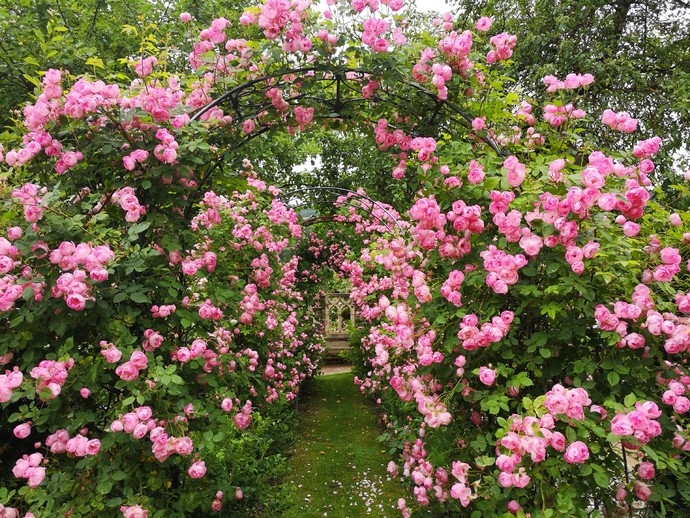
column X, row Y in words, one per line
column 346, row 197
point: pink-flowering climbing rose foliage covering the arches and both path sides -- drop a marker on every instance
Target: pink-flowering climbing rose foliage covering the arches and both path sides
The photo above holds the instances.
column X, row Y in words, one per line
column 524, row 328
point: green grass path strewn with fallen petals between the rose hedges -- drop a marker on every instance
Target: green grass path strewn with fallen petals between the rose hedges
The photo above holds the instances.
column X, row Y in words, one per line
column 339, row 467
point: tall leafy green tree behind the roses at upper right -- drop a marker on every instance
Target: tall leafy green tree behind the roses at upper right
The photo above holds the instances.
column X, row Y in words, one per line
column 636, row 50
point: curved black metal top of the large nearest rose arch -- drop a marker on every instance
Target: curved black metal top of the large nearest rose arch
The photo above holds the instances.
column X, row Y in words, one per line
column 249, row 99
